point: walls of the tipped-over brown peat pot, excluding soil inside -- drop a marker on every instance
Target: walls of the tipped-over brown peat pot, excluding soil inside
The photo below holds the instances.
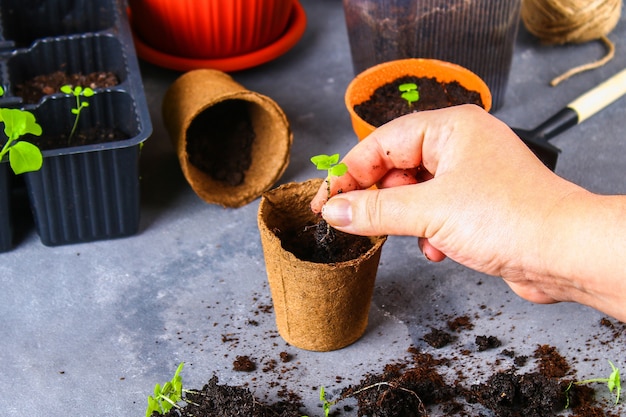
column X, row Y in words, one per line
column 196, row 92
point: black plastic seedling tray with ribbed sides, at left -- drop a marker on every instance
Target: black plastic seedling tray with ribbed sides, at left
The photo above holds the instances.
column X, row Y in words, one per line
column 82, row 193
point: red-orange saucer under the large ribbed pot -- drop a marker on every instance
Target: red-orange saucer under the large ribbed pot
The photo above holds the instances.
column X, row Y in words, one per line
column 293, row 33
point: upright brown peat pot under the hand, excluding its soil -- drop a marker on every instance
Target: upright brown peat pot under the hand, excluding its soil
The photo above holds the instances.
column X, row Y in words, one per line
column 318, row 306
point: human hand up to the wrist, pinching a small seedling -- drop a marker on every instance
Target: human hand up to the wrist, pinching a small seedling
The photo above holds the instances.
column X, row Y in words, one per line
column 466, row 185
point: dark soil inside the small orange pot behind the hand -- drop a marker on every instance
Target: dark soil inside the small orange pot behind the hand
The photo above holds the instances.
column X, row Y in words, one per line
column 386, row 102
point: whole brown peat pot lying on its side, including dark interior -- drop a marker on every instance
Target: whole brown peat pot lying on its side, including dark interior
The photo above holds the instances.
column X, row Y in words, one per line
column 232, row 143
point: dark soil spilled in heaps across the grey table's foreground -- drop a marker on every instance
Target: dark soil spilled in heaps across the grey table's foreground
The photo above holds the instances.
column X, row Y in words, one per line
column 420, row 385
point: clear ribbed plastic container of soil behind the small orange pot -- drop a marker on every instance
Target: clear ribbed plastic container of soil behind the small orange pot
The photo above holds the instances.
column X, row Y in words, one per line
column 476, row 34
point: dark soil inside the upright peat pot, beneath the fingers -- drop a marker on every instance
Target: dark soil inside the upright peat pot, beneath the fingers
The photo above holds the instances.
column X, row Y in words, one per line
column 323, row 244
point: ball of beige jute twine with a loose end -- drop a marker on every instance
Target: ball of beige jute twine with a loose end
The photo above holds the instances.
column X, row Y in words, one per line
column 573, row 21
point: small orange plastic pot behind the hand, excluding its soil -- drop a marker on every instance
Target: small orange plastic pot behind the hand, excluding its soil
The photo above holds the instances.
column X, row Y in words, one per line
column 364, row 84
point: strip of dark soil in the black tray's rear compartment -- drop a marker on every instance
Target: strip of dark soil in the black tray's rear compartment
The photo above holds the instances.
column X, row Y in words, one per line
column 34, row 89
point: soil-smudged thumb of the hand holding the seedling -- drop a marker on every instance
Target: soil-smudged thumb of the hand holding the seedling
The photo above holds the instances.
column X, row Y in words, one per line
column 390, row 211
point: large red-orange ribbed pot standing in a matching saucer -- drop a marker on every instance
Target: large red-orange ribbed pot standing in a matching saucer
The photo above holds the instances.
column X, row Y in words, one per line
column 209, row 28
